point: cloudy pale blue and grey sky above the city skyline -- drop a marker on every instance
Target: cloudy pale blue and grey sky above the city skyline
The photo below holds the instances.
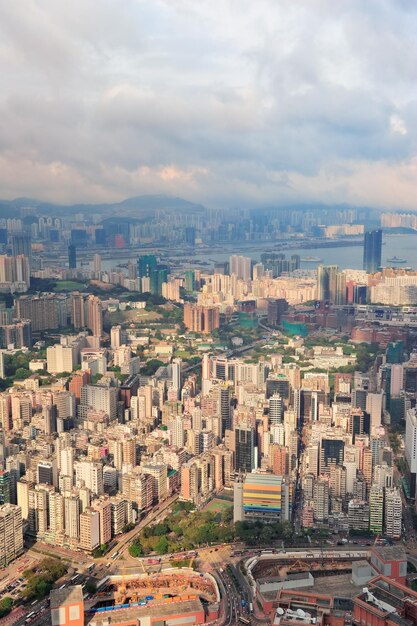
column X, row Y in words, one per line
column 225, row 102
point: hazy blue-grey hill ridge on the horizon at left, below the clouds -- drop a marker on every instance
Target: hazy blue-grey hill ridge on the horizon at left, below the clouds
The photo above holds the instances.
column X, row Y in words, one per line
column 139, row 206
